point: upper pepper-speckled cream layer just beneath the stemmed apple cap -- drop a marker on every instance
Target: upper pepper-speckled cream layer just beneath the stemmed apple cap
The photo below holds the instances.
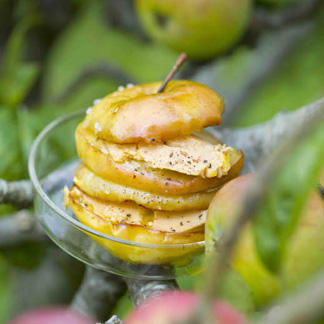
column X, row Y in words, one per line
column 188, row 155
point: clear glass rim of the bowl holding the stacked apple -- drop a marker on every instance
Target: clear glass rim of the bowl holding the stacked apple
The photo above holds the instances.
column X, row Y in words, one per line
column 58, row 211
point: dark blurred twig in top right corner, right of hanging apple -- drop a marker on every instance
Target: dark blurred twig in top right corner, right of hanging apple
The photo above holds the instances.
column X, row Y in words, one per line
column 279, row 18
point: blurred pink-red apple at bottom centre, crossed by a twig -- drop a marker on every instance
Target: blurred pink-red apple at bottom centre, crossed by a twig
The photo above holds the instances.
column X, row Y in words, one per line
column 174, row 306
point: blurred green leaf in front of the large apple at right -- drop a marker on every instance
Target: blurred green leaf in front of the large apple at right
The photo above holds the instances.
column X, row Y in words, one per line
column 279, row 215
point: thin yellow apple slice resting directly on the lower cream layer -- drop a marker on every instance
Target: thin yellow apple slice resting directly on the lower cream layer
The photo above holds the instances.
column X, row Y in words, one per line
column 98, row 187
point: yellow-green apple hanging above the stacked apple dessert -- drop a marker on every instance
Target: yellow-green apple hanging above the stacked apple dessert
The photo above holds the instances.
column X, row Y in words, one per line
column 201, row 28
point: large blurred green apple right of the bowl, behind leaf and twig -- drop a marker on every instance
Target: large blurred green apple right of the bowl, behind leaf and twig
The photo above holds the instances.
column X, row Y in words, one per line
column 304, row 254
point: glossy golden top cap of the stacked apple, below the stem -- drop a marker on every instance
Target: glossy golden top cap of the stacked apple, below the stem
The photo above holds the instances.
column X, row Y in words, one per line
column 140, row 114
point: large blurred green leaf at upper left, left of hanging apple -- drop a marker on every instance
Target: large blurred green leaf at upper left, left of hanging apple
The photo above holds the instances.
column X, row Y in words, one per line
column 89, row 41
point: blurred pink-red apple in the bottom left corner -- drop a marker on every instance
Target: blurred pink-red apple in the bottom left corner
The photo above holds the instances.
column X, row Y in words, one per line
column 52, row 315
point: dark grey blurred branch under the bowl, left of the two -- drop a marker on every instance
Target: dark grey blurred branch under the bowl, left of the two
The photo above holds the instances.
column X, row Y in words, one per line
column 98, row 294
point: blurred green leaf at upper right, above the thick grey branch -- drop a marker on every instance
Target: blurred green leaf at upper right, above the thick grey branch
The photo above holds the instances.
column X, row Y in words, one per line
column 297, row 81
